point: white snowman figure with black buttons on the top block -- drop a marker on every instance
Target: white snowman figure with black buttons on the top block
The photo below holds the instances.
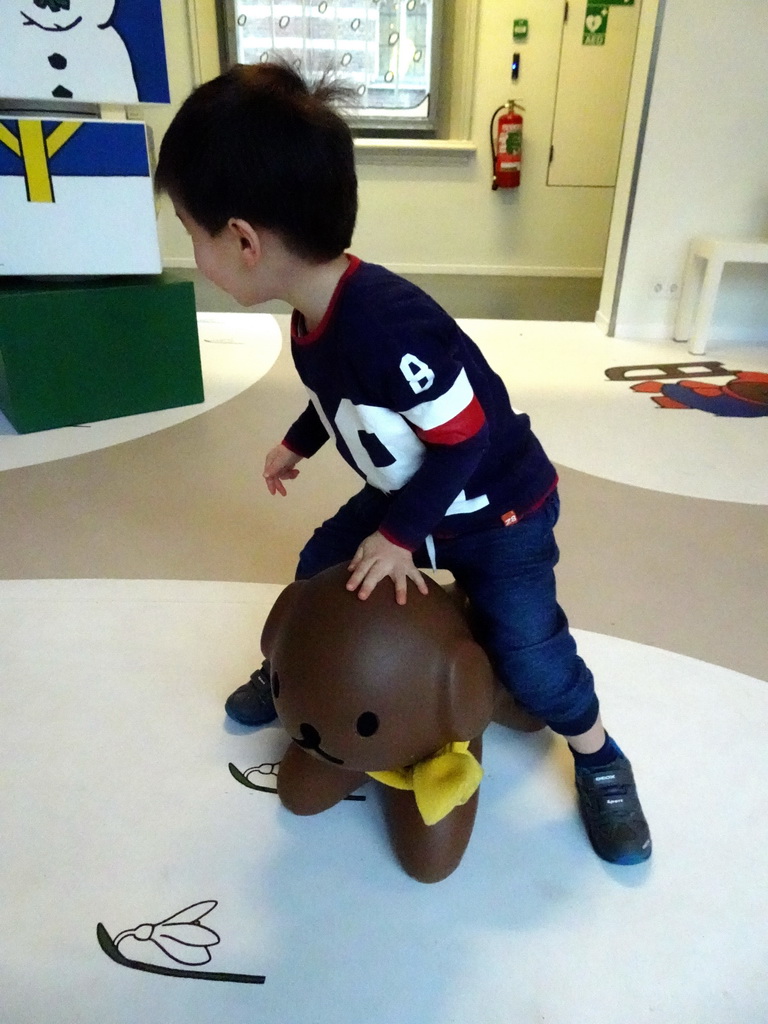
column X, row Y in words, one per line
column 64, row 50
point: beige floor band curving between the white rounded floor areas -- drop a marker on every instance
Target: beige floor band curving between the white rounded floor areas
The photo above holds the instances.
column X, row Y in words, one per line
column 188, row 503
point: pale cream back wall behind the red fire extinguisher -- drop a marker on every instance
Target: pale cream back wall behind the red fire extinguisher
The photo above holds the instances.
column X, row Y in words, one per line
column 440, row 215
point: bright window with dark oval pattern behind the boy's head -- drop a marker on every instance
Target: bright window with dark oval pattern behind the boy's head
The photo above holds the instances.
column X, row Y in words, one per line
column 388, row 50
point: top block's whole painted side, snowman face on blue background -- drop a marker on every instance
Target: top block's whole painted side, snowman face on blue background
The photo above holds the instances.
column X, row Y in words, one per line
column 88, row 51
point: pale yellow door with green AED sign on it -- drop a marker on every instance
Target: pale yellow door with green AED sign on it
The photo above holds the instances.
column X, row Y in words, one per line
column 596, row 55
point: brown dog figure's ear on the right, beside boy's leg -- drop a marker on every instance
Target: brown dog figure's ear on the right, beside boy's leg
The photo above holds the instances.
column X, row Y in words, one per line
column 470, row 690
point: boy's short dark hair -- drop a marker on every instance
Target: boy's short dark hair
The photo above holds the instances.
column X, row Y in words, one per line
column 260, row 144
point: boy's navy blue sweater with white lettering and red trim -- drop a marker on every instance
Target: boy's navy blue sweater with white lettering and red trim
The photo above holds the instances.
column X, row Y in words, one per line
column 415, row 409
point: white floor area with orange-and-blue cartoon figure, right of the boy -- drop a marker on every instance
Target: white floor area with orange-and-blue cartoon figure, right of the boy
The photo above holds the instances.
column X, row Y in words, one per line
column 591, row 400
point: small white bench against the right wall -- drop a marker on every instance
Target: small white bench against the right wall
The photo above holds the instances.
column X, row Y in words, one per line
column 701, row 285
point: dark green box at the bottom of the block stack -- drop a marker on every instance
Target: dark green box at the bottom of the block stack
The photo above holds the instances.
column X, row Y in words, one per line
column 89, row 351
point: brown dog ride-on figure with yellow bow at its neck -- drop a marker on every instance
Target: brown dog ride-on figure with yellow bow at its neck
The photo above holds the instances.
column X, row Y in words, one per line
column 403, row 693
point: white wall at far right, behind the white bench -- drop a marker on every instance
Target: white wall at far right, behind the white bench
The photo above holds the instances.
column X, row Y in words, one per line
column 704, row 167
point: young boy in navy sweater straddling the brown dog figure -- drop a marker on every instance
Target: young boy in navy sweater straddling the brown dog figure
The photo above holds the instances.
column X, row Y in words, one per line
column 261, row 169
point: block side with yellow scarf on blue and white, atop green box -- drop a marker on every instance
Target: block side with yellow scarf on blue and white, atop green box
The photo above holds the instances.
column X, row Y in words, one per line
column 76, row 197
